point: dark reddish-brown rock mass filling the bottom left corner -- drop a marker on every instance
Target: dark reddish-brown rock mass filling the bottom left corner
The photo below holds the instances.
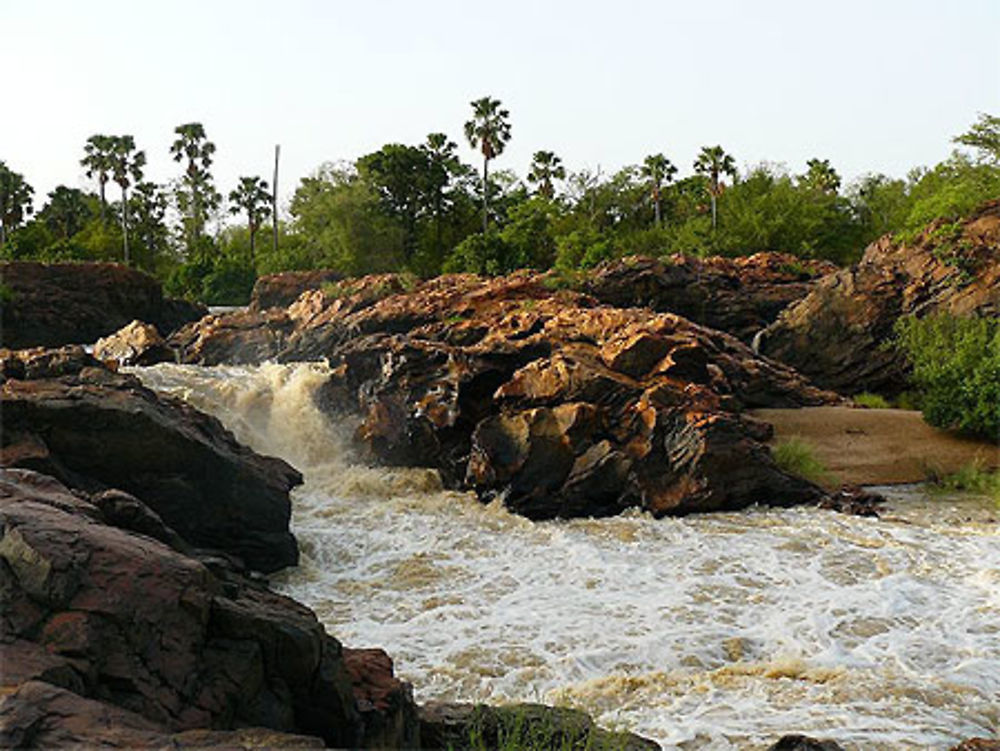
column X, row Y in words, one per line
column 113, row 637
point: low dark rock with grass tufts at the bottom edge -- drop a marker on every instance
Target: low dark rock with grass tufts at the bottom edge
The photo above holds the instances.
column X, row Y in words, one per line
column 473, row 726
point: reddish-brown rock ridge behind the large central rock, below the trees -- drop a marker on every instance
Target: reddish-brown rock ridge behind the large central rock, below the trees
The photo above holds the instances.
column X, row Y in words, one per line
column 737, row 295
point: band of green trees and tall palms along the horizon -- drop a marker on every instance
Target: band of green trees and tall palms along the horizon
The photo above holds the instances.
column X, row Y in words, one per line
column 420, row 208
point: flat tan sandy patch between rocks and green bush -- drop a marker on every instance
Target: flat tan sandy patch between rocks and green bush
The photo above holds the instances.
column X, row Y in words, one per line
column 877, row 446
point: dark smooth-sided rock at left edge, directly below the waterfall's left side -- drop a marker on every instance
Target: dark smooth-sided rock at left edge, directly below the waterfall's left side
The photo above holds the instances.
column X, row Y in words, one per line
column 68, row 416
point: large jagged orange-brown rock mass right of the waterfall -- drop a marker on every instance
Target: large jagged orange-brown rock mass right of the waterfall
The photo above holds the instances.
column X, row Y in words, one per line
column 559, row 405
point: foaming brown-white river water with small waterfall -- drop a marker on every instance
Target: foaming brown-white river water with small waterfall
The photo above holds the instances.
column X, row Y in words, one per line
column 715, row 631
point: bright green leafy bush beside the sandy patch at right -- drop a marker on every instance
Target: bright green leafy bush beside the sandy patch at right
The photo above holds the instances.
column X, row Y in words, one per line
column 956, row 368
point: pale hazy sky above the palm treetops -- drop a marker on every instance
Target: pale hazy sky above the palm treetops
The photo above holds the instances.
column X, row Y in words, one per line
column 876, row 85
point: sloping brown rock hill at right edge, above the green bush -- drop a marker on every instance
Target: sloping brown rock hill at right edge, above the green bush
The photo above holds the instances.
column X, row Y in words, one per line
column 838, row 333
